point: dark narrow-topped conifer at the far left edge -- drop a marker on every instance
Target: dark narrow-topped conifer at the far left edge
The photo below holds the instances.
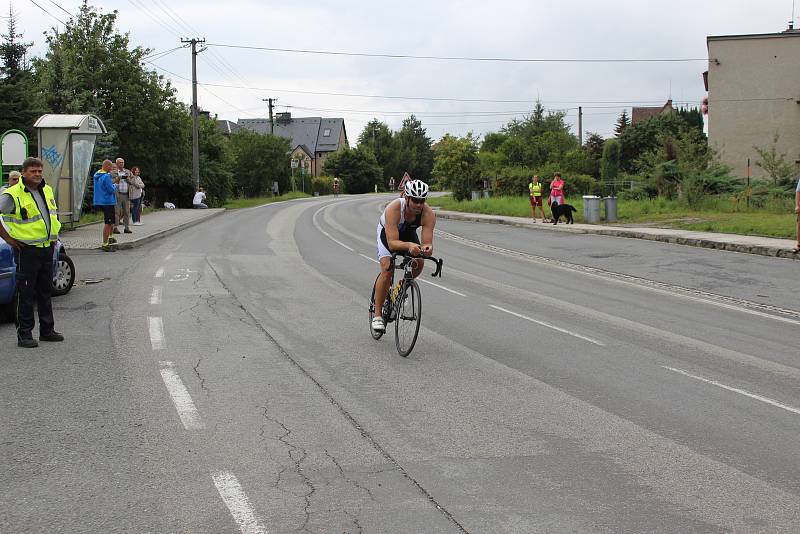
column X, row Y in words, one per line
column 20, row 104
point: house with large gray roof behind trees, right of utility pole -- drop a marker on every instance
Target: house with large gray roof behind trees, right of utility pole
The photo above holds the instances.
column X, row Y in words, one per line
column 313, row 138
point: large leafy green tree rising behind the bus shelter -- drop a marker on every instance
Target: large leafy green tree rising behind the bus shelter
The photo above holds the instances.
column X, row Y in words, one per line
column 90, row 68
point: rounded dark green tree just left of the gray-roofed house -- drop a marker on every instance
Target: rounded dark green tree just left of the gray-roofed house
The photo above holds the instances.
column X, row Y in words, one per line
column 260, row 160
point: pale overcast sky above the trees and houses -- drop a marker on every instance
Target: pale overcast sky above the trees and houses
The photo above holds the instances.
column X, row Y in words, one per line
column 565, row 30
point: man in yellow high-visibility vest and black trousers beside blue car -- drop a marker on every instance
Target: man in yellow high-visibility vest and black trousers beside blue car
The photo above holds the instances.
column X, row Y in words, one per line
column 30, row 225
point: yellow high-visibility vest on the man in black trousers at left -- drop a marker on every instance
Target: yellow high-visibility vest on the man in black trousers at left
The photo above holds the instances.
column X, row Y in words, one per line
column 27, row 224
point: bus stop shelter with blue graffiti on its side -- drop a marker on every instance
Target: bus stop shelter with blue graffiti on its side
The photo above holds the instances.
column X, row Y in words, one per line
column 66, row 146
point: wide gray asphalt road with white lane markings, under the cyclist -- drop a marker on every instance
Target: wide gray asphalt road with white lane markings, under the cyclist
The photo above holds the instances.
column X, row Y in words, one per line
column 223, row 379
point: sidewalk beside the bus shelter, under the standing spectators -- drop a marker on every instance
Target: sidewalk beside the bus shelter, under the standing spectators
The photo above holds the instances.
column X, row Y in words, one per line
column 155, row 225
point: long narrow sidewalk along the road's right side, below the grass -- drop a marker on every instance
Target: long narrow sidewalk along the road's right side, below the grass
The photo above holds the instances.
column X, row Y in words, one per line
column 764, row 246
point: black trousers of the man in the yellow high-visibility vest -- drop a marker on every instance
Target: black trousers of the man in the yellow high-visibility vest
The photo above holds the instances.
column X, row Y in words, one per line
column 34, row 284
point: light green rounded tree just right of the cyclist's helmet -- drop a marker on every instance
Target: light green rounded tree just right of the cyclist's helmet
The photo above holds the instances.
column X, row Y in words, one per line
column 456, row 164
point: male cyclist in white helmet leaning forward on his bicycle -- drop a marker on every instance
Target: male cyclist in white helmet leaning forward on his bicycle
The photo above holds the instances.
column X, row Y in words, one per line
column 397, row 232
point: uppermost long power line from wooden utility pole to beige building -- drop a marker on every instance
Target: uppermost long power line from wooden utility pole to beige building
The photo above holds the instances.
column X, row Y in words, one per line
column 462, row 58
